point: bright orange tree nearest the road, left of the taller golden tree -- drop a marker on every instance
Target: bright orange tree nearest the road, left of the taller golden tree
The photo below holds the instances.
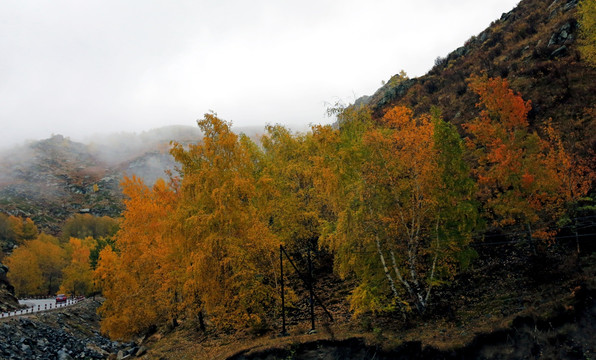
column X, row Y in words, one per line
column 145, row 271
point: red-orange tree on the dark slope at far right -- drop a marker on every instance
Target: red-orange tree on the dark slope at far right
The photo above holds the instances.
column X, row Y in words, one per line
column 524, row 179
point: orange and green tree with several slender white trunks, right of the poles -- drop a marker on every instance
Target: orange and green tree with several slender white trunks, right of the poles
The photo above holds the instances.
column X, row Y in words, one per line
column 409, row 219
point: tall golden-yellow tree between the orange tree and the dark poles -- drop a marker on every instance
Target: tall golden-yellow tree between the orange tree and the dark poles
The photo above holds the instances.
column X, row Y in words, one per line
column 231, row 257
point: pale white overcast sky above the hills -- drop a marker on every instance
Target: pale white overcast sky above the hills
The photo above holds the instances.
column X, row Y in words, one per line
column 81, row 67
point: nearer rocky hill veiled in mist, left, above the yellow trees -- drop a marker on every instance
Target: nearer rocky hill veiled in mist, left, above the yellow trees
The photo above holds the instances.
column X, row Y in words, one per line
column 51, row 179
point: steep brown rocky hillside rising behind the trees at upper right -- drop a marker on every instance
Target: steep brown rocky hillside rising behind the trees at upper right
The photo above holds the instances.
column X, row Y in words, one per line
column 535, row 47
